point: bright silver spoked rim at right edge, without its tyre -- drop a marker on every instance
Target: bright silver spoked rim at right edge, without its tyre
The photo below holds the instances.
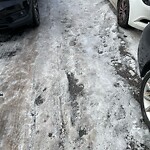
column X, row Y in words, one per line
column 146, row 99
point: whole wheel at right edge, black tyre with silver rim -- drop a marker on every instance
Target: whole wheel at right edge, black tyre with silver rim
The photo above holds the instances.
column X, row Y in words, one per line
column 145, row 99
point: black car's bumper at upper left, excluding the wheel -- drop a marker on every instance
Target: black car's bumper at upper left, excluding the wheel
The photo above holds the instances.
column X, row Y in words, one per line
column 15, row 13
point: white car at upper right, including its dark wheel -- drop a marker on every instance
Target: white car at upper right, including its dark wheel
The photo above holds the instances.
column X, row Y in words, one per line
column 135, row 13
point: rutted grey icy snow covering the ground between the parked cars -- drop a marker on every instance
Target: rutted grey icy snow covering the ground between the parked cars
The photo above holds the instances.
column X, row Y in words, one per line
column 72, row 83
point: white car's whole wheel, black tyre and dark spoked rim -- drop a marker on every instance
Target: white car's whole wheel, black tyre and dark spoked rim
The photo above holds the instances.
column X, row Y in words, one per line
column 123, row 13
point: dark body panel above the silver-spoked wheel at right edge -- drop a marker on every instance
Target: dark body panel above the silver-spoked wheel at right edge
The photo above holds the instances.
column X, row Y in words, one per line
column 144, row 51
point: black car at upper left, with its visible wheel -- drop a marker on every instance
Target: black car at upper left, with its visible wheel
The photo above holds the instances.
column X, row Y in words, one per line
column 15, row 13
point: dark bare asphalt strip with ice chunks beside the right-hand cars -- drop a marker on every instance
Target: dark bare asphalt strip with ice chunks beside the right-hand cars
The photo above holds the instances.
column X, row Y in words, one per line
column 123, row 69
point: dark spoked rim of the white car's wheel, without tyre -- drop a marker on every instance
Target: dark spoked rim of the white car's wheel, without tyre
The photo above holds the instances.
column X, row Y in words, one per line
column 123, row 11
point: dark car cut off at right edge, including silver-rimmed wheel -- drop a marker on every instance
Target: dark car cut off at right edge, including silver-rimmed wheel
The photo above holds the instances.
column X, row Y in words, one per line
column 144, row 67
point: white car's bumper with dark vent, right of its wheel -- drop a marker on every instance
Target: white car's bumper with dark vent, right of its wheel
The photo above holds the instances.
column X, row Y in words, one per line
column 139, row 14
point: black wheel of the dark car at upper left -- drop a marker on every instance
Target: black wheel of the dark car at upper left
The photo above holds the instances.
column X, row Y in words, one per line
column 36, row 15
